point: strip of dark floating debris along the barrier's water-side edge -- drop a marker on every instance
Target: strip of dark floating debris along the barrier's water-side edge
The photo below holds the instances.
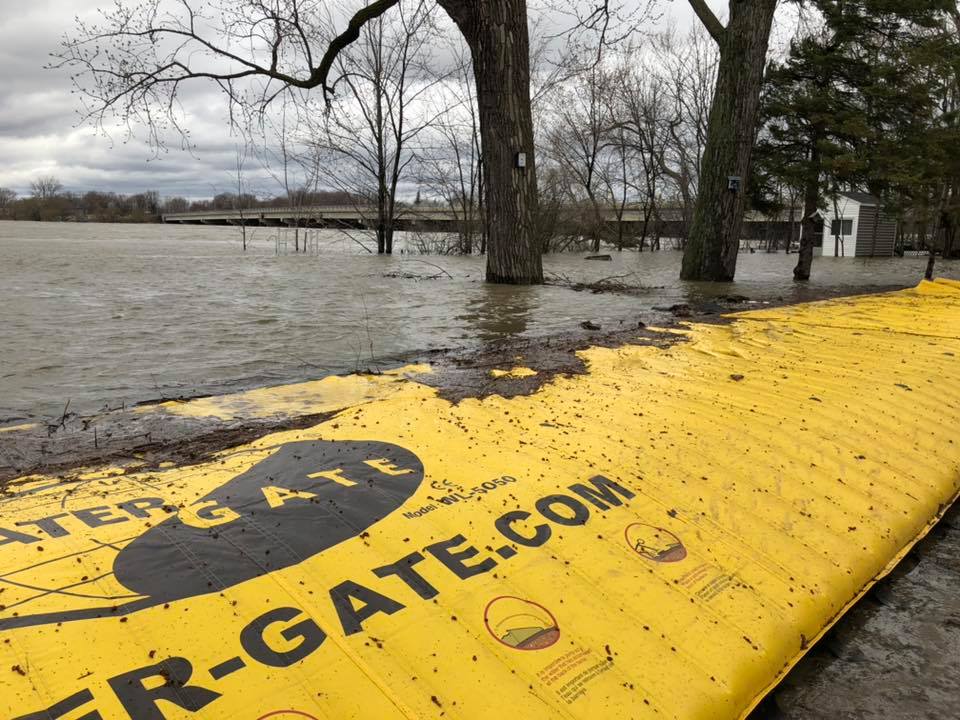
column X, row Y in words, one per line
column 149, row 429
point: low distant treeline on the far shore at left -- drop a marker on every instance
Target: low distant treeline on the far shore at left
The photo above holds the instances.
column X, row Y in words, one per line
column 48, row 201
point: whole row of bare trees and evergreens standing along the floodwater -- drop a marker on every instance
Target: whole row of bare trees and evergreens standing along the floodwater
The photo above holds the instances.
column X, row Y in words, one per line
column 866, row 98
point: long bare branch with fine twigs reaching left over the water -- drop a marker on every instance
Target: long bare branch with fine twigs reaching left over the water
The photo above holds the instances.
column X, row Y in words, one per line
column 136, row 58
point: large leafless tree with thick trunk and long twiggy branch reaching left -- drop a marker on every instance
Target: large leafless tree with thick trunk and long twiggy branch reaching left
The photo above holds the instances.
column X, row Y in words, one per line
column 133, row 63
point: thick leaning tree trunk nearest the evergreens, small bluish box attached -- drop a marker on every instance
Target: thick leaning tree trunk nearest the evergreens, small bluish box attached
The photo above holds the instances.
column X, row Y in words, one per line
column 711, row 251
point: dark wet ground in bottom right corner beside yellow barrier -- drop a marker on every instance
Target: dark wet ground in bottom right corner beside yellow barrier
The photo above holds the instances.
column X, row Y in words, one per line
column 896, row 654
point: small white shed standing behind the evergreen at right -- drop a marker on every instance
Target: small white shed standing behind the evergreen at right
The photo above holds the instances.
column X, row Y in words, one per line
column 850, row 228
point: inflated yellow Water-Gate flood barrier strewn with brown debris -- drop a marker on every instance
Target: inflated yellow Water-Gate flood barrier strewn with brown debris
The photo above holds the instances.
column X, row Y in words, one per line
column 663, row 536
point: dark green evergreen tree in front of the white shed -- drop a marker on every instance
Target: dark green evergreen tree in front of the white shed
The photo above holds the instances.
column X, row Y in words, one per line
column 855, row 105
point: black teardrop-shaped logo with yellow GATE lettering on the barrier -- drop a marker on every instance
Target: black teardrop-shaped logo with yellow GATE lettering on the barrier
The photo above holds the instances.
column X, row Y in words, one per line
column 303, row 499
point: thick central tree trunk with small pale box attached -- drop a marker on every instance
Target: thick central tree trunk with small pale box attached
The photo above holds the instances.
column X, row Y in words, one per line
column 496, row 31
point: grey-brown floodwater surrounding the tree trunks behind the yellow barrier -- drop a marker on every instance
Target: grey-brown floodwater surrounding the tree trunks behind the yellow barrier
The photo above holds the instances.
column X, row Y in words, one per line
column 107, row 315
